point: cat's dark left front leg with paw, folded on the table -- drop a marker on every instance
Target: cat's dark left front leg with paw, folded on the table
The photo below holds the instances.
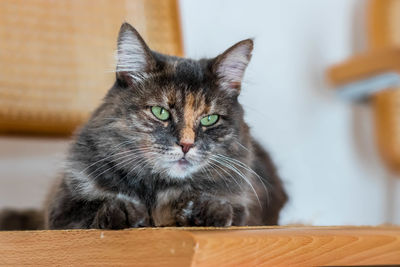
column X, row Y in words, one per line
column 68, row 210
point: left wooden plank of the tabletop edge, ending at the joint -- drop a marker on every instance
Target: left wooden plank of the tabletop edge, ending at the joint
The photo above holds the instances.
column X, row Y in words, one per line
column 93, row 247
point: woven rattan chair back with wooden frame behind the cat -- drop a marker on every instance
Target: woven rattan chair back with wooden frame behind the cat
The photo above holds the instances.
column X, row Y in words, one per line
column 57, row 57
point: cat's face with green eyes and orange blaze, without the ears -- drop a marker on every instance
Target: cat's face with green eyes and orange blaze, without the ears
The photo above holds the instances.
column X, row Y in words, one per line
column 181, row 126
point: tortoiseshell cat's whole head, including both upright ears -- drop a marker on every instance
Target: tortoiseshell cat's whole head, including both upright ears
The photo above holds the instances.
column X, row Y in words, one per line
column 174, row 114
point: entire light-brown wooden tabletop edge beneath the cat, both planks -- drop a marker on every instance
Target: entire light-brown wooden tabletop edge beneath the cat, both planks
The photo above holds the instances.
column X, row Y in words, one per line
column 235, row 246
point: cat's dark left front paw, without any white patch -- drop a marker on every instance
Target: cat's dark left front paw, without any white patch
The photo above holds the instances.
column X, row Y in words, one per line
column 120, row 214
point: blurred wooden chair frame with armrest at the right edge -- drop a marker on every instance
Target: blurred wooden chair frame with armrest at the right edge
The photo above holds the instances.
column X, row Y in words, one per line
column 379, row 68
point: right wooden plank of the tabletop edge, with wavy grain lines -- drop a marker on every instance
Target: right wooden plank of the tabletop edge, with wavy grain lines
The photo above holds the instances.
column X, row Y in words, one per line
column 298, row 246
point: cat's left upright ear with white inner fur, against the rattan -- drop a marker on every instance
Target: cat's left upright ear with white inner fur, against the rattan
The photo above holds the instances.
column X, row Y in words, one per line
column 134, row 57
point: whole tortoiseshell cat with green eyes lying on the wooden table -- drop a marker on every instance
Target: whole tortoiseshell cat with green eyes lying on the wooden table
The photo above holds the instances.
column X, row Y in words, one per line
column 168, row 147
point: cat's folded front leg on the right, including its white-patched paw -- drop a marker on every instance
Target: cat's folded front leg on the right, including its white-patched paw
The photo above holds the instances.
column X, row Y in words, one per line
column 208, row 210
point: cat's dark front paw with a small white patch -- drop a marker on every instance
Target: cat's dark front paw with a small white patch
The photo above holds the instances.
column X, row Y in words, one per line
column 204, row 211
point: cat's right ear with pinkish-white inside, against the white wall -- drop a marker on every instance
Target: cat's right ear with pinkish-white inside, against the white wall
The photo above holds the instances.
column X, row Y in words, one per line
column 229, row 67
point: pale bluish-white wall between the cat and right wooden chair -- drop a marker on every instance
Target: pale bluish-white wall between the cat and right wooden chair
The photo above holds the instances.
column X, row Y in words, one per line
column 322, row 145
